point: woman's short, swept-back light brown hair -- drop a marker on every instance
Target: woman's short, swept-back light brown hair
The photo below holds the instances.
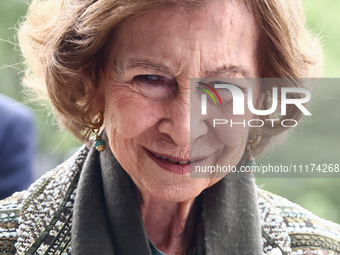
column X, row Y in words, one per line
column 63, row 39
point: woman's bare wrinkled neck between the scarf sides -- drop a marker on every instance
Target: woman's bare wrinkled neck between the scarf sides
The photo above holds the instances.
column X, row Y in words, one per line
column 169, row 225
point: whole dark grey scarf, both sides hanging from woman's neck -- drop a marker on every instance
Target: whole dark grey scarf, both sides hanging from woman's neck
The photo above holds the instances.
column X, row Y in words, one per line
column 107, row 198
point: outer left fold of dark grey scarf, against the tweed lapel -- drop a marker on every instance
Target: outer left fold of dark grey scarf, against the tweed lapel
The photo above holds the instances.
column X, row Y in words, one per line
column 90, row 226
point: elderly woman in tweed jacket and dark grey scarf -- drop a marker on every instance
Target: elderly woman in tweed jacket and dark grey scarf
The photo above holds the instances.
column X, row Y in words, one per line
column 130, row 63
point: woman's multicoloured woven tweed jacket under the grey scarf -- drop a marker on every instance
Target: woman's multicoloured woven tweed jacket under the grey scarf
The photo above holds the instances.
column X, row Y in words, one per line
column 39, row 220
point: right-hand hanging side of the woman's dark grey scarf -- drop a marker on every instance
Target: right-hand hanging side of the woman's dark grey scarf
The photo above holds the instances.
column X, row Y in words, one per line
column 231, row 220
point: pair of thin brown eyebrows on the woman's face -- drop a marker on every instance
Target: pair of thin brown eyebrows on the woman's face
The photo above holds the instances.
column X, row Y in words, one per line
column 224, row 69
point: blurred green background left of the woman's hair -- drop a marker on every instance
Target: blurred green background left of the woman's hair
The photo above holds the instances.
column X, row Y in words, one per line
column 54, row 144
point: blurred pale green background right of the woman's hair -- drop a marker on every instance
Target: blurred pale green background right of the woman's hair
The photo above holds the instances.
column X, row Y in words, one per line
column 317, row 139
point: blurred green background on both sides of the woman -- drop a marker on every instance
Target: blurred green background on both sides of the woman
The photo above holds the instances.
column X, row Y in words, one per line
column 314, row 141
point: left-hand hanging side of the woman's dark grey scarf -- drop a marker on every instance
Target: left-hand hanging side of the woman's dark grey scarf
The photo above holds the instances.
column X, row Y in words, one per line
column 107, row 219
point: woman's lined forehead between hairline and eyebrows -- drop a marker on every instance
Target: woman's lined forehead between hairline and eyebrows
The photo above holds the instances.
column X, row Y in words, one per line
column 219, row 32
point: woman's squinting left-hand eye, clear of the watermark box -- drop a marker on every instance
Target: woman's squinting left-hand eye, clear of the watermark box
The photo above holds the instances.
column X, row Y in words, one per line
column 155, row 86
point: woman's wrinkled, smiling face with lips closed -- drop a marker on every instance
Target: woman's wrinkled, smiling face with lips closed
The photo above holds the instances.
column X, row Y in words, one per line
column 146, row 90
